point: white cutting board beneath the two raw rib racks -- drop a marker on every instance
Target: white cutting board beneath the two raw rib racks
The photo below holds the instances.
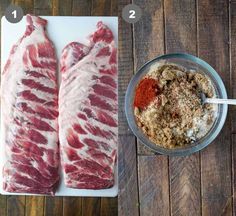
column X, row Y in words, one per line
column 61, row 30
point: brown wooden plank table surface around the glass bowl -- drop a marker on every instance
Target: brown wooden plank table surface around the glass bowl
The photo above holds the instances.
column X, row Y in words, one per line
column 205, row 182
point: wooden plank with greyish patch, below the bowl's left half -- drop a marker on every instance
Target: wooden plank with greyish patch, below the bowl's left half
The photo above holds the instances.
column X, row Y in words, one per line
column 153, row 187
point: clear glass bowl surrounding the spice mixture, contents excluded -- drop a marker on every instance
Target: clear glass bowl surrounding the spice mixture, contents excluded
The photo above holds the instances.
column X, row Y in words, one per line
column 189, row 62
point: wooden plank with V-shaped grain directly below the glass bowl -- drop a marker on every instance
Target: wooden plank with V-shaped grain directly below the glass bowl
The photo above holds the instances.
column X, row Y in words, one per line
column 185, row 187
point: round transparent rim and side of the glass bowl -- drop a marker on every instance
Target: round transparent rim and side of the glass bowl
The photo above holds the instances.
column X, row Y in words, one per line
column 176, row 151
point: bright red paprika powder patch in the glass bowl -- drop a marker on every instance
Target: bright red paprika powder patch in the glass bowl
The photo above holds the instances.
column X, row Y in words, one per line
column 146, row 92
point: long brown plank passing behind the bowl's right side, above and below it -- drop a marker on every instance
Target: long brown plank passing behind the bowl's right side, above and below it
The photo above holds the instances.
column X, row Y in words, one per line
column 216, row 158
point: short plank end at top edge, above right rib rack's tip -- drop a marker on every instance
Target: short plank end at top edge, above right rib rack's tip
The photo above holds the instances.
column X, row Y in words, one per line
column 101, row 8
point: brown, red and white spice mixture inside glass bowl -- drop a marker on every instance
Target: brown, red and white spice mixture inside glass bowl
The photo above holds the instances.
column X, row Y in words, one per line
column 168, row 108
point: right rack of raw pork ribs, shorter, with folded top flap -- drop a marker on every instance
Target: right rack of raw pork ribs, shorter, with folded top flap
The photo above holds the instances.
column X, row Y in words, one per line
column 88, row 111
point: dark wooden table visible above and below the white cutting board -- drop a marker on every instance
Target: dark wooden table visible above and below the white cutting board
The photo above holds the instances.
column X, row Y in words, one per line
column 60, row 206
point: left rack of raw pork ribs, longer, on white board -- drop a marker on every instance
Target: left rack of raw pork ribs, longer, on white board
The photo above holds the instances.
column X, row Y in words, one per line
column 30, row 113
